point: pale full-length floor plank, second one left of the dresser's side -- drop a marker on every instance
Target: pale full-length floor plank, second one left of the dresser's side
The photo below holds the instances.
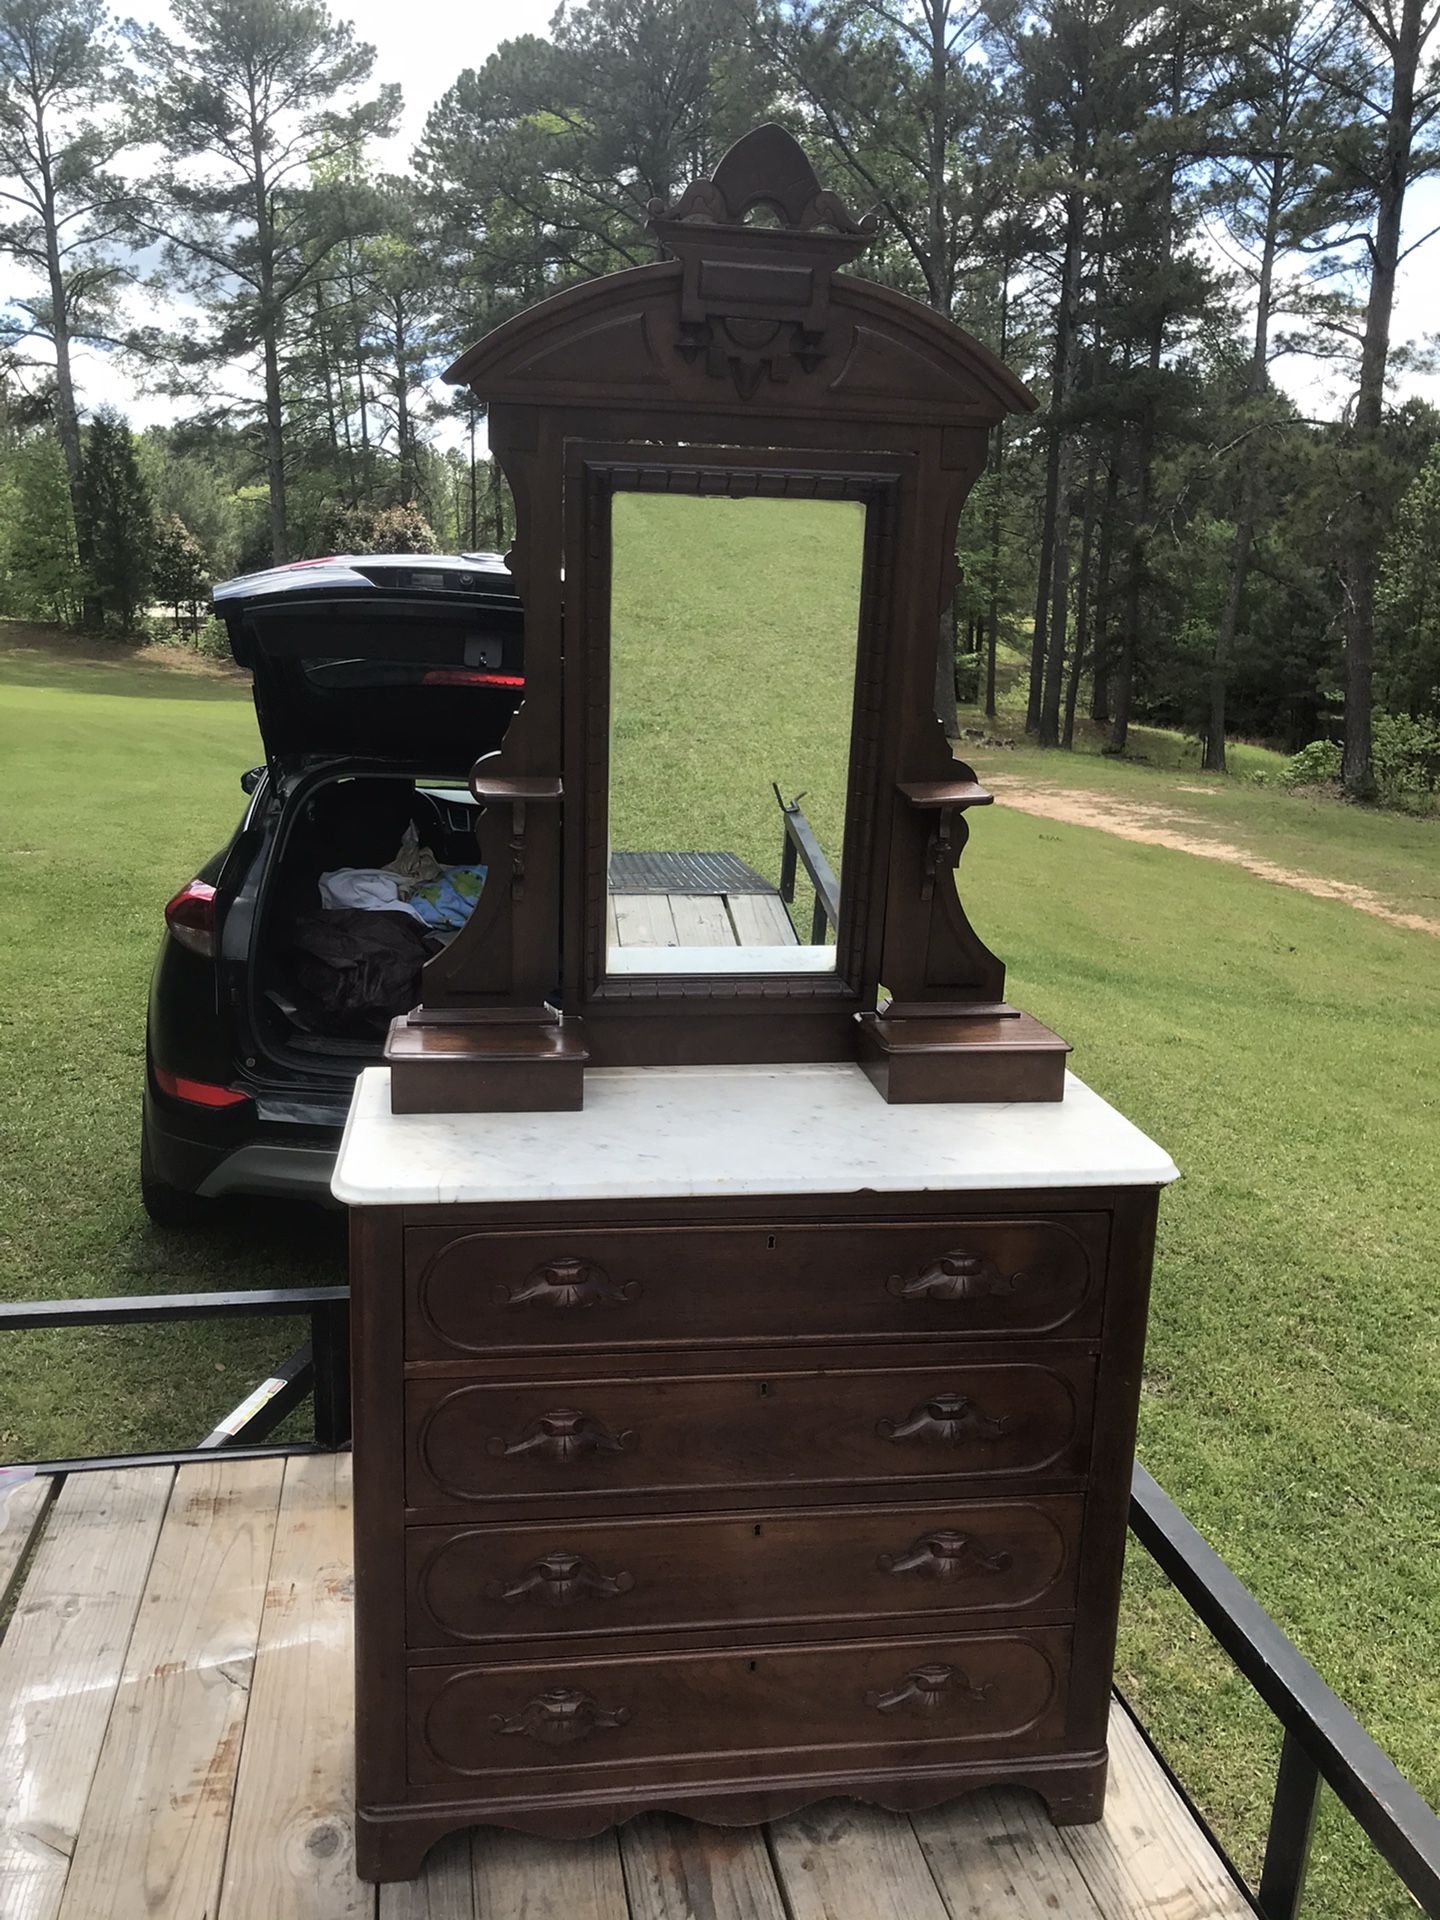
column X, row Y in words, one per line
column 153, row 1840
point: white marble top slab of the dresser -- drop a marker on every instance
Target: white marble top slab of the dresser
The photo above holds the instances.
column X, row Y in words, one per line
column 660, row 1134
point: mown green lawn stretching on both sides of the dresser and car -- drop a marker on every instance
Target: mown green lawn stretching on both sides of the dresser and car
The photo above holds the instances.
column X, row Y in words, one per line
column 1285, row 1049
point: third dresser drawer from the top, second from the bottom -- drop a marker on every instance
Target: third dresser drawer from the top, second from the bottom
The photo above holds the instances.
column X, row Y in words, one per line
column 725, row 1572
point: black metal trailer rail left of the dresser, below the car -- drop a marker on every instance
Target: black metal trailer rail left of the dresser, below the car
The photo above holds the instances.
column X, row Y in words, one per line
column 318, row 1370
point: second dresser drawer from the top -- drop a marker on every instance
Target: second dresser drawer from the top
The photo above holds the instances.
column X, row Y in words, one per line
column 554, row 1443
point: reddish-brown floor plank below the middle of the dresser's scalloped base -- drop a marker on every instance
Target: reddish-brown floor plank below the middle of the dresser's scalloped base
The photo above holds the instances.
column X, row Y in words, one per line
column 681, row 1871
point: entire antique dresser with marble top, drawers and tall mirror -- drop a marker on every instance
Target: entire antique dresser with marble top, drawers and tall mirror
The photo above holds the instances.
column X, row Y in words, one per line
column 748, row 1305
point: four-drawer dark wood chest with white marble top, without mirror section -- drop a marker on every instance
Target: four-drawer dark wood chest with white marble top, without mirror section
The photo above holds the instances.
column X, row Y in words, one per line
column 734, row 1443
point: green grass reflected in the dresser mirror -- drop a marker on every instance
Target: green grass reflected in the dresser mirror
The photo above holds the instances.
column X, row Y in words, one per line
column 756, row 688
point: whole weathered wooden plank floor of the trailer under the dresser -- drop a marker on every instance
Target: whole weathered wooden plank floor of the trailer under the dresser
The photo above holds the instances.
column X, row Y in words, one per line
column 176, row 1696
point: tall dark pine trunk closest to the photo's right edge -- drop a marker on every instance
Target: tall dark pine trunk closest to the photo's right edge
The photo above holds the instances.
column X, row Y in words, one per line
column 1362, row 550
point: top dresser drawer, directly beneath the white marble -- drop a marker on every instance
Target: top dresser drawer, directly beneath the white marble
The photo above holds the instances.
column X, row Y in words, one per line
column 479, row 1293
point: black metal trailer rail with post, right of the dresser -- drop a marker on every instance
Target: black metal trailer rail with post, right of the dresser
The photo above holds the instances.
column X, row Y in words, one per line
column 1324, row 1742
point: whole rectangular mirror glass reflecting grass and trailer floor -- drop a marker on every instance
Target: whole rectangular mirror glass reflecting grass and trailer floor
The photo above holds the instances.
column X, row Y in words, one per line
column 732, row 675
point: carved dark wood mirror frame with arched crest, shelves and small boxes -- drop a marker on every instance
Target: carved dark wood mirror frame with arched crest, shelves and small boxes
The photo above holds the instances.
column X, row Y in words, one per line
column 740, row 362
